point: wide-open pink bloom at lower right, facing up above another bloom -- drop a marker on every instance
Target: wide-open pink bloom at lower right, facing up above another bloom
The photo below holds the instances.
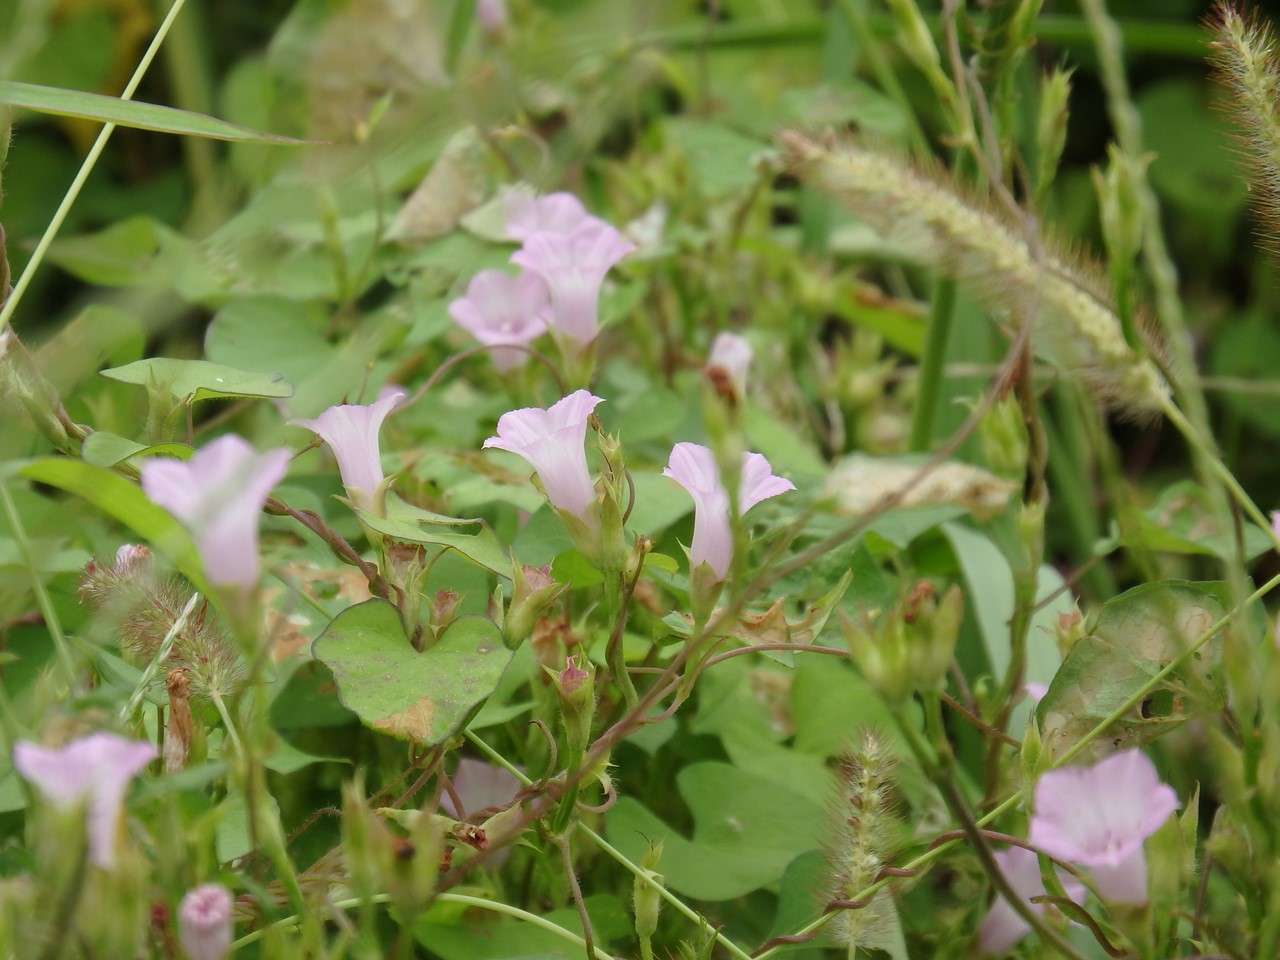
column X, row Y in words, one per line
column 1100, row 816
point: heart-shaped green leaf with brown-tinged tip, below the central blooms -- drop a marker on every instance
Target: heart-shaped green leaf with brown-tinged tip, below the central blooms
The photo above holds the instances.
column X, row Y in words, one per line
column 424, row 698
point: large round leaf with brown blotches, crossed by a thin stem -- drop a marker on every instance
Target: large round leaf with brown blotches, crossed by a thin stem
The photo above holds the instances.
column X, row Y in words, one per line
column 1137, row 636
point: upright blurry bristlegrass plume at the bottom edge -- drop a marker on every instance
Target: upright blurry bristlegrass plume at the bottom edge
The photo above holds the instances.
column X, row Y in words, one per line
column 861, row 842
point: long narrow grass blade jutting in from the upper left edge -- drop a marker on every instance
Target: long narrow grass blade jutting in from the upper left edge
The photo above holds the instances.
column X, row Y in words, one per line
column 130, row 113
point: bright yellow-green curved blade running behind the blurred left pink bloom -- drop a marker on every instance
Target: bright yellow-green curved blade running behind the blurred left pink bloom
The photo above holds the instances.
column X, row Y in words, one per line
column 124, row 501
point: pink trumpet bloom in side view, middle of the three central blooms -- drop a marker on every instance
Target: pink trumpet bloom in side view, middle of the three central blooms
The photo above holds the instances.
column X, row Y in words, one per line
column 552, row 441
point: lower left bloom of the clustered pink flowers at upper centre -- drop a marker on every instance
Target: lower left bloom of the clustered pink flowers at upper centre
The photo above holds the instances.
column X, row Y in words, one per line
column 504, row 312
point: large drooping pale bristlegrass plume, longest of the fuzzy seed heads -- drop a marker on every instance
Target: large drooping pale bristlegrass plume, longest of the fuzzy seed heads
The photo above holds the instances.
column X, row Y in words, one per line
column 1075, row 326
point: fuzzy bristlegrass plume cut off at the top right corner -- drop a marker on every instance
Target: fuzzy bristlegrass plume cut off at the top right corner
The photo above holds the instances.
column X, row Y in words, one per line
column 1246, row 62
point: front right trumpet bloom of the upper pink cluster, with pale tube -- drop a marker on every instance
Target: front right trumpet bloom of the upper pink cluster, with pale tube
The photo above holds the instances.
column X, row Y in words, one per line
column 574, row 267
